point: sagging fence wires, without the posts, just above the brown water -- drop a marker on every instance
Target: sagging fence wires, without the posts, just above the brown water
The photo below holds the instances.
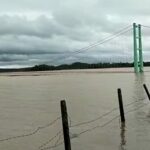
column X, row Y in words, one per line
column 57, row 138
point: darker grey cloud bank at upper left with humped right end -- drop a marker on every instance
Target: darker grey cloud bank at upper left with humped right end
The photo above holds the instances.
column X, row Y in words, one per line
column 19, row 25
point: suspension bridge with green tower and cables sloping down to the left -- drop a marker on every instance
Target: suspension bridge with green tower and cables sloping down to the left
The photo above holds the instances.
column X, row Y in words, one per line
column 128, row 45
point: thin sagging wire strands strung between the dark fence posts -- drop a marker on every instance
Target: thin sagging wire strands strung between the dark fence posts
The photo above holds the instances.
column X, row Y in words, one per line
column 57, row 137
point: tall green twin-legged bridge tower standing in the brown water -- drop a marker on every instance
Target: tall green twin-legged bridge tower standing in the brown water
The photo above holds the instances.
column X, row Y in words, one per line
column 138, row 53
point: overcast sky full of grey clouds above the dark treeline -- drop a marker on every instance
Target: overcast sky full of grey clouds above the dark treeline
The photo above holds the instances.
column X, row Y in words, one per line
column 49, row 31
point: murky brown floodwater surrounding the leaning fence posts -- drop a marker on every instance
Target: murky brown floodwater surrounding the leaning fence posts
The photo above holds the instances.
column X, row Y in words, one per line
column 30, row 110
